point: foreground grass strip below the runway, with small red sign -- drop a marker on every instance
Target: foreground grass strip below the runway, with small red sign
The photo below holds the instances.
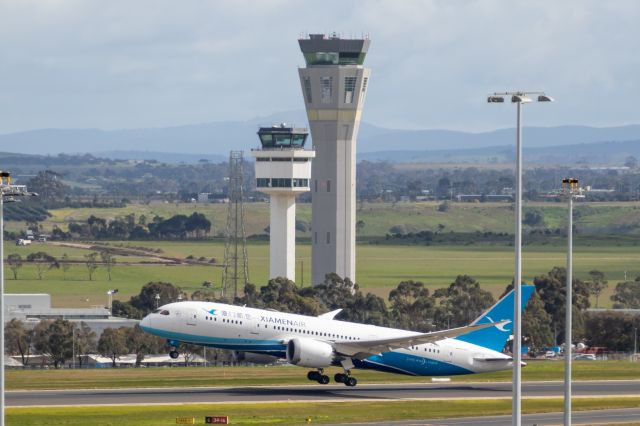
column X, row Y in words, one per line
column 288, row 413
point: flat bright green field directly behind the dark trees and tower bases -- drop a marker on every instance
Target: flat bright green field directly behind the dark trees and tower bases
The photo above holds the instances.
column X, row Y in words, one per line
column 379, row 267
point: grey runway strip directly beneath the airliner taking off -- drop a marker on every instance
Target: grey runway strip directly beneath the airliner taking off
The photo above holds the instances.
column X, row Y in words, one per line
column 363, row 392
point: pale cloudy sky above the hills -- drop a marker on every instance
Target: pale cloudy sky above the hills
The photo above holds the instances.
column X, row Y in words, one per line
column 151, row 63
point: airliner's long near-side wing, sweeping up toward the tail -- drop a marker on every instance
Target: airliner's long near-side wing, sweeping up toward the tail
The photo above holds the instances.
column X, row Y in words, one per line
column 364, row 348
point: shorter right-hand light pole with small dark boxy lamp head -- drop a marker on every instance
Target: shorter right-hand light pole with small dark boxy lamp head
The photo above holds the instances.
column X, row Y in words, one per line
column 571, row 188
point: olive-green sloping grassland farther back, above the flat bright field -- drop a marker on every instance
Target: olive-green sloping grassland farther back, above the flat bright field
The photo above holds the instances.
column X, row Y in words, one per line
column 622, row 217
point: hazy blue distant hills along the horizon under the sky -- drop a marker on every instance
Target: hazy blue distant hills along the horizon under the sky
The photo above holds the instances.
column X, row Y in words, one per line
column 215, row 140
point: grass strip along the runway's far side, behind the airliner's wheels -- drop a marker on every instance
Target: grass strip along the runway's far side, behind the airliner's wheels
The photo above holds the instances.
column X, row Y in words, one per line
column 287, row 375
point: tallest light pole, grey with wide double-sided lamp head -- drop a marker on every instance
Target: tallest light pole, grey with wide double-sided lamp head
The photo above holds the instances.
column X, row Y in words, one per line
column 518, row 98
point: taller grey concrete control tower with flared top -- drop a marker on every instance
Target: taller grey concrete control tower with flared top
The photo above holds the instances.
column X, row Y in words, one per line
column 334, row 85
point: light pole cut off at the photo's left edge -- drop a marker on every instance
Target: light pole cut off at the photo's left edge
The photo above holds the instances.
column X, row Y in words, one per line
column 12, row 193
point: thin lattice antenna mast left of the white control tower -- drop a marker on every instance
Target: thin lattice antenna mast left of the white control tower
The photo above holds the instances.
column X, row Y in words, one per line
column 236, row 264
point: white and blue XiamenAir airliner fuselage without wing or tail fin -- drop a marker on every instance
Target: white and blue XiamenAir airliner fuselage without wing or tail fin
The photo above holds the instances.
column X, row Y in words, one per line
column 267, row 332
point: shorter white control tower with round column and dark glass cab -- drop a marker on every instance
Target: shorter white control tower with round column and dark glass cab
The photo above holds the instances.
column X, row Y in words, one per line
column 283, row 169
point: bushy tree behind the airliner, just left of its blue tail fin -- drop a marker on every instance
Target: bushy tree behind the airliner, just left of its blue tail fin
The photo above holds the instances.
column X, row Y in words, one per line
column 462, row 302
